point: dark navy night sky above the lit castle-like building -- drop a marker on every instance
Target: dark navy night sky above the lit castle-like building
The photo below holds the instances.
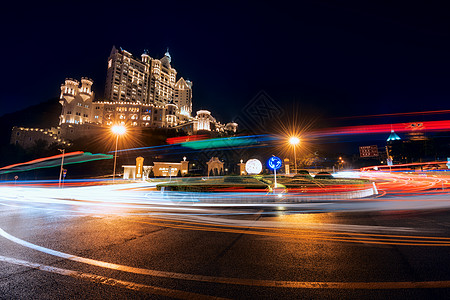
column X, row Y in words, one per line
column 331, row 58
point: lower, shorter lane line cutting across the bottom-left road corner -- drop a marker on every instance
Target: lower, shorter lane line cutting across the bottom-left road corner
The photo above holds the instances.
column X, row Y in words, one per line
column 108, row 281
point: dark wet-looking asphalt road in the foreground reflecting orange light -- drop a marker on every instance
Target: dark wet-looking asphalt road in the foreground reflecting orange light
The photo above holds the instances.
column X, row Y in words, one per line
column 77, row 248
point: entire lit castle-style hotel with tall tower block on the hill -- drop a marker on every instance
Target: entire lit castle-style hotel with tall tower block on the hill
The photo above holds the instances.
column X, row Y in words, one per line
column 141, row 92
